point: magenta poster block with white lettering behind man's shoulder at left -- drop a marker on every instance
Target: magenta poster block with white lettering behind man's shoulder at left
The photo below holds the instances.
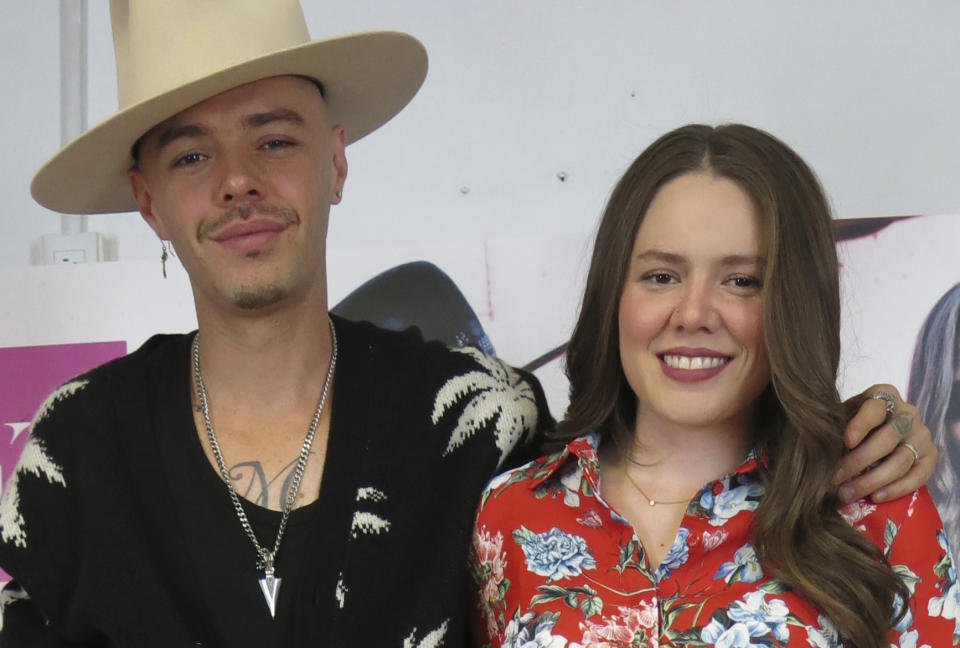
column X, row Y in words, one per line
column 27, row 376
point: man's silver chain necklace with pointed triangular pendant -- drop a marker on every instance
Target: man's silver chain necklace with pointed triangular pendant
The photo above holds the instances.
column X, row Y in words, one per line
column 269, row 582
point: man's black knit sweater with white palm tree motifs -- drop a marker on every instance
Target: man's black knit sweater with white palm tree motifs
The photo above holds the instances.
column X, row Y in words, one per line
column 118, row 532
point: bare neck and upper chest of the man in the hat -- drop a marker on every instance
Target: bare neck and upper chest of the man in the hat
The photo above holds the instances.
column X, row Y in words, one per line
column 263, row 377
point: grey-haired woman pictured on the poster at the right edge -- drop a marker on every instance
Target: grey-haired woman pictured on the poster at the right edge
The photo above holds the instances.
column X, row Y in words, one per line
column 935, row 388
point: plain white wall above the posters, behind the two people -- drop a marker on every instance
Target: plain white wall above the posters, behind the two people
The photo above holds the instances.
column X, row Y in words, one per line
column 517, row 92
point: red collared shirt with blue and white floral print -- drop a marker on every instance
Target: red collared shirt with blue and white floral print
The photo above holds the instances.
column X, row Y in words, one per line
column 554, row 566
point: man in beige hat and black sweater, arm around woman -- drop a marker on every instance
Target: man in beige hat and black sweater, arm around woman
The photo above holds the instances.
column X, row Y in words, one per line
column 117, row 527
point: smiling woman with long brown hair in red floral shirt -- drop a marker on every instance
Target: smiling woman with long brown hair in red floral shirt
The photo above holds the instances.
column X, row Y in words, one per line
column 706, row 353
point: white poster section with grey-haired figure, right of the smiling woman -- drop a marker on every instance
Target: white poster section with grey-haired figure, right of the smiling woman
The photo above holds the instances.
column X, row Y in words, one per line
column 902, row 322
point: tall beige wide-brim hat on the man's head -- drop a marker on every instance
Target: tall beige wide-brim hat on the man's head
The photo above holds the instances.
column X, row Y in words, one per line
column 172, row 54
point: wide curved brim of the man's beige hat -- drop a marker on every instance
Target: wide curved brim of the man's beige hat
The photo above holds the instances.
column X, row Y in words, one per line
column 368, row 78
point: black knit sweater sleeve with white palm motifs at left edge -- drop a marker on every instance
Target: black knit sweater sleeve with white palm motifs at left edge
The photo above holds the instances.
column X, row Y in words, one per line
column 39, row 523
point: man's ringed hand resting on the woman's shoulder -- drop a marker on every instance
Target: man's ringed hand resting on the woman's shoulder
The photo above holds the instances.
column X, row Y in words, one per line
column 879, row 463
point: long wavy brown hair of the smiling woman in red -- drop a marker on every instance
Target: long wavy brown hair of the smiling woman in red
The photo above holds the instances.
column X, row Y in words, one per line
column 798, row 534
